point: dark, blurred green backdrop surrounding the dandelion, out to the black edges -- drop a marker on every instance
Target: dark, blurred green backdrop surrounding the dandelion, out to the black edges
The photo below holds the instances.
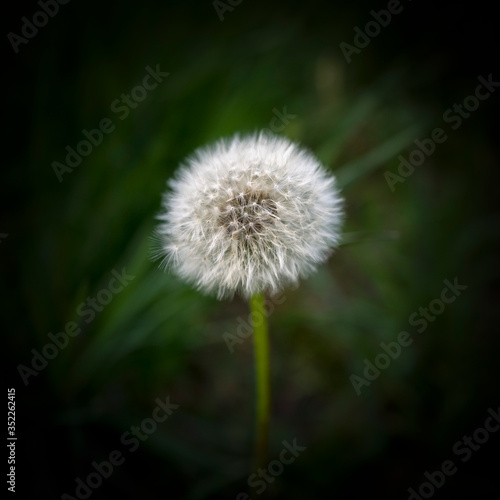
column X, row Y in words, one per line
column 159, row 337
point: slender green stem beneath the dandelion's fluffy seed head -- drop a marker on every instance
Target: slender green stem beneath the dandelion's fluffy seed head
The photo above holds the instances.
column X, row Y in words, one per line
column 262, row 385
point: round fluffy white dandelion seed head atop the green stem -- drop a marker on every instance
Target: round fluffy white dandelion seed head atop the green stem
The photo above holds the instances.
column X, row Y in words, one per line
column 247, row 215
